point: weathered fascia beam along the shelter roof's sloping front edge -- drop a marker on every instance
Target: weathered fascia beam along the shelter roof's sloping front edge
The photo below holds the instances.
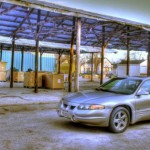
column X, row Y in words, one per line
column 75, row 12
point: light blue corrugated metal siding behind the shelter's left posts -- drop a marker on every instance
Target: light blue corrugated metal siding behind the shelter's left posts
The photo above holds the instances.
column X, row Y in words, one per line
column 48, row 61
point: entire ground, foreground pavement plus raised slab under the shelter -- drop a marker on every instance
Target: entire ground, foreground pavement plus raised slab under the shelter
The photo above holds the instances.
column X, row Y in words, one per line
column 28, row 121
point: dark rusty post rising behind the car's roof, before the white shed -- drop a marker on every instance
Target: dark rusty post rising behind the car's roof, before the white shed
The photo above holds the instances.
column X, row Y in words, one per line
column 128, row 53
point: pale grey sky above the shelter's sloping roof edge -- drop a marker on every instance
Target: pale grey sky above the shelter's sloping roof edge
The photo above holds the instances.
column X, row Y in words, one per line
column 134, row 10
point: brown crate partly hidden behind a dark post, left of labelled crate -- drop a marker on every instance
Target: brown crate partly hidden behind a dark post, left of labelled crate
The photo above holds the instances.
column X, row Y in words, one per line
column 29, row 79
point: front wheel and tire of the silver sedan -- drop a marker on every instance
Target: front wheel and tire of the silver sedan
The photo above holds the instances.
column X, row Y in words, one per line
column 119, row 120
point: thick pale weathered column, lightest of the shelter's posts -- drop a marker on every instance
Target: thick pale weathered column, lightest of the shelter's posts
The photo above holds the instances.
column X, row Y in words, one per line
column 78, row 41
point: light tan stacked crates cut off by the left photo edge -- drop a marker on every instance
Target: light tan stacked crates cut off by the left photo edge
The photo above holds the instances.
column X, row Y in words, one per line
column 2, row 71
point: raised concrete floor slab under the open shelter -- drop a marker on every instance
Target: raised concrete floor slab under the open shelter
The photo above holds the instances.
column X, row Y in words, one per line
column 20, row 96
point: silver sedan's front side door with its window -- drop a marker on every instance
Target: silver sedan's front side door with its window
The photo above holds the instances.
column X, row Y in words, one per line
column 143, row 102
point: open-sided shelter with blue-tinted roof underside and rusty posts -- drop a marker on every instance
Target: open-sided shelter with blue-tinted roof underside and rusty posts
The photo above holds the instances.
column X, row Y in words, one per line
column 56, row 29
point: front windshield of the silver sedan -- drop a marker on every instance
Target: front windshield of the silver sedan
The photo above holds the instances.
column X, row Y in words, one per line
column 121, row 85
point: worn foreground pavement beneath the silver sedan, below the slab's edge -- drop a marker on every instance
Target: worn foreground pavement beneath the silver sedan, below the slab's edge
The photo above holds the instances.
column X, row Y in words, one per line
column 44, row 130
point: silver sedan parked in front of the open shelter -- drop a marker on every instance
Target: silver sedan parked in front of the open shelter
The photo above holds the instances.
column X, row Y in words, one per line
column 115, row 104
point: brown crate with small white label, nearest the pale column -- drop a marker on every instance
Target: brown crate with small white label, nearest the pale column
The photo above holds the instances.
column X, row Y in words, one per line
column 54, row 81
